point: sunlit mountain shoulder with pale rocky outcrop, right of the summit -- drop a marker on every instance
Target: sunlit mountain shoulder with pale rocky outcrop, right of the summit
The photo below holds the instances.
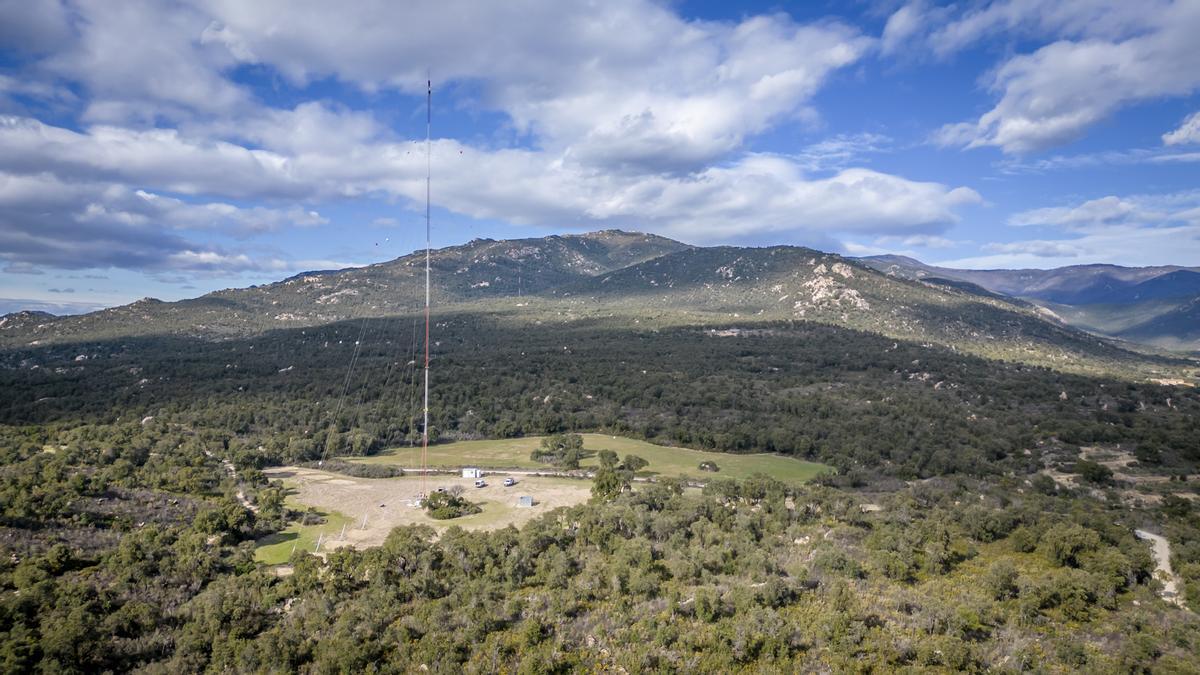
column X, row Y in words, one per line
column 787, row 283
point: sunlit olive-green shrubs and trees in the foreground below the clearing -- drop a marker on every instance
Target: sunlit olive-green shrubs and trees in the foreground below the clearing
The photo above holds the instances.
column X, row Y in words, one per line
column 746, row 575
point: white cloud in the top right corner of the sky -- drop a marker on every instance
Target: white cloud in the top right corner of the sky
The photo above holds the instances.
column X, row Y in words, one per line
column 1107, row 55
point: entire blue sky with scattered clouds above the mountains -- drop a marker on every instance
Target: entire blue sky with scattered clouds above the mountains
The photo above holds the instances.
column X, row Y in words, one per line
column 173, row 148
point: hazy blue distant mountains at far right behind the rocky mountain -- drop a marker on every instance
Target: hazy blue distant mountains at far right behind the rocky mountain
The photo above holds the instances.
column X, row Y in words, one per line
column 1155, row 306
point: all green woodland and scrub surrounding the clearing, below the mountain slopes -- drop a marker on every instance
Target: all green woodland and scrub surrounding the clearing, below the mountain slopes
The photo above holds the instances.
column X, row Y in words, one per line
column 127, row 542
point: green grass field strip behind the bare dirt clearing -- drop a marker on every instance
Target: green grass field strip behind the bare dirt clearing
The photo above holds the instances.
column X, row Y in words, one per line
column 514, row 453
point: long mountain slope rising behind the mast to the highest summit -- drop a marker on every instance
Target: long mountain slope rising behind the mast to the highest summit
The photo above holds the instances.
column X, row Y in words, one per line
column 477, row 272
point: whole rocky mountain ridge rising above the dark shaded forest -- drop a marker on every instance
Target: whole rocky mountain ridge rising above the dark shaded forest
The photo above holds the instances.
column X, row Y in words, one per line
column 632, row 279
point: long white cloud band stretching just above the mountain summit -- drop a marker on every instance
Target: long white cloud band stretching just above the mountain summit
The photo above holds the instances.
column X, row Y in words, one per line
column 755, row 194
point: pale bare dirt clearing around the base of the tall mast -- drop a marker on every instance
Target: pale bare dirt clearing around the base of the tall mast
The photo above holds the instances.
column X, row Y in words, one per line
column 375, row 506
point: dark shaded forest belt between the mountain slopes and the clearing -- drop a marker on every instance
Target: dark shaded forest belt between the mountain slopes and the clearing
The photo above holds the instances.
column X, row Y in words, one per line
column 855, row 401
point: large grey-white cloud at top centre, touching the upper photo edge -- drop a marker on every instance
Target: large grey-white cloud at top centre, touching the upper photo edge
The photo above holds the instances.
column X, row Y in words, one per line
column 623, row 86
